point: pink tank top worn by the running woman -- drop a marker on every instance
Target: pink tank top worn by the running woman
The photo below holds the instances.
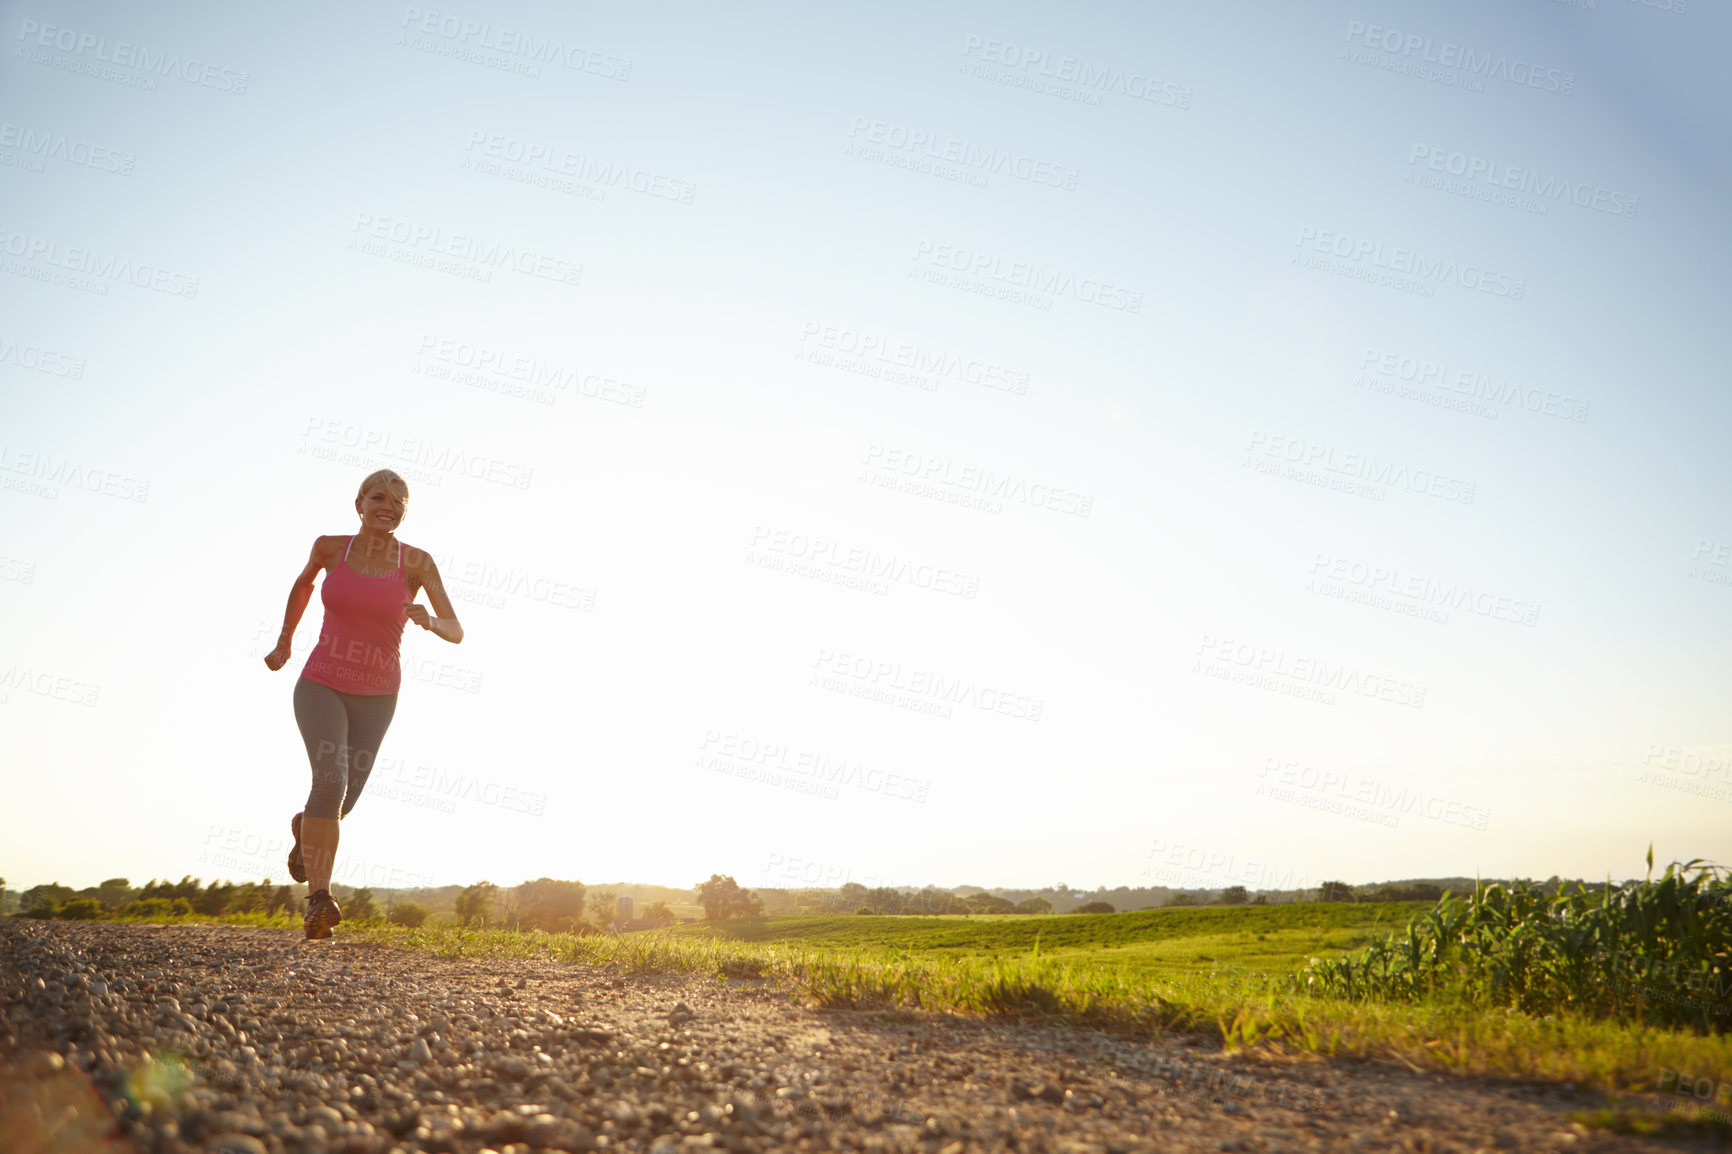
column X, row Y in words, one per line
column 363, row 630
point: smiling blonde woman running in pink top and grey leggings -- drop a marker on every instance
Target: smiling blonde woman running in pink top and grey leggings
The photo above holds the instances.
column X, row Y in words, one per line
column 347, row 690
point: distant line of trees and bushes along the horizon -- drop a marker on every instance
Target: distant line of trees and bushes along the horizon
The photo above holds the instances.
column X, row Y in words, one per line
column 574, row 907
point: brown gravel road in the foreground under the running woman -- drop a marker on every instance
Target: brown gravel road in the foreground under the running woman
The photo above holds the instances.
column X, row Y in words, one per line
column 257, row 1042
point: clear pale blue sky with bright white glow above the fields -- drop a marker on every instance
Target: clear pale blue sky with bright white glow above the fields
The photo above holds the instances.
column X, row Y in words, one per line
column 988, row 446
